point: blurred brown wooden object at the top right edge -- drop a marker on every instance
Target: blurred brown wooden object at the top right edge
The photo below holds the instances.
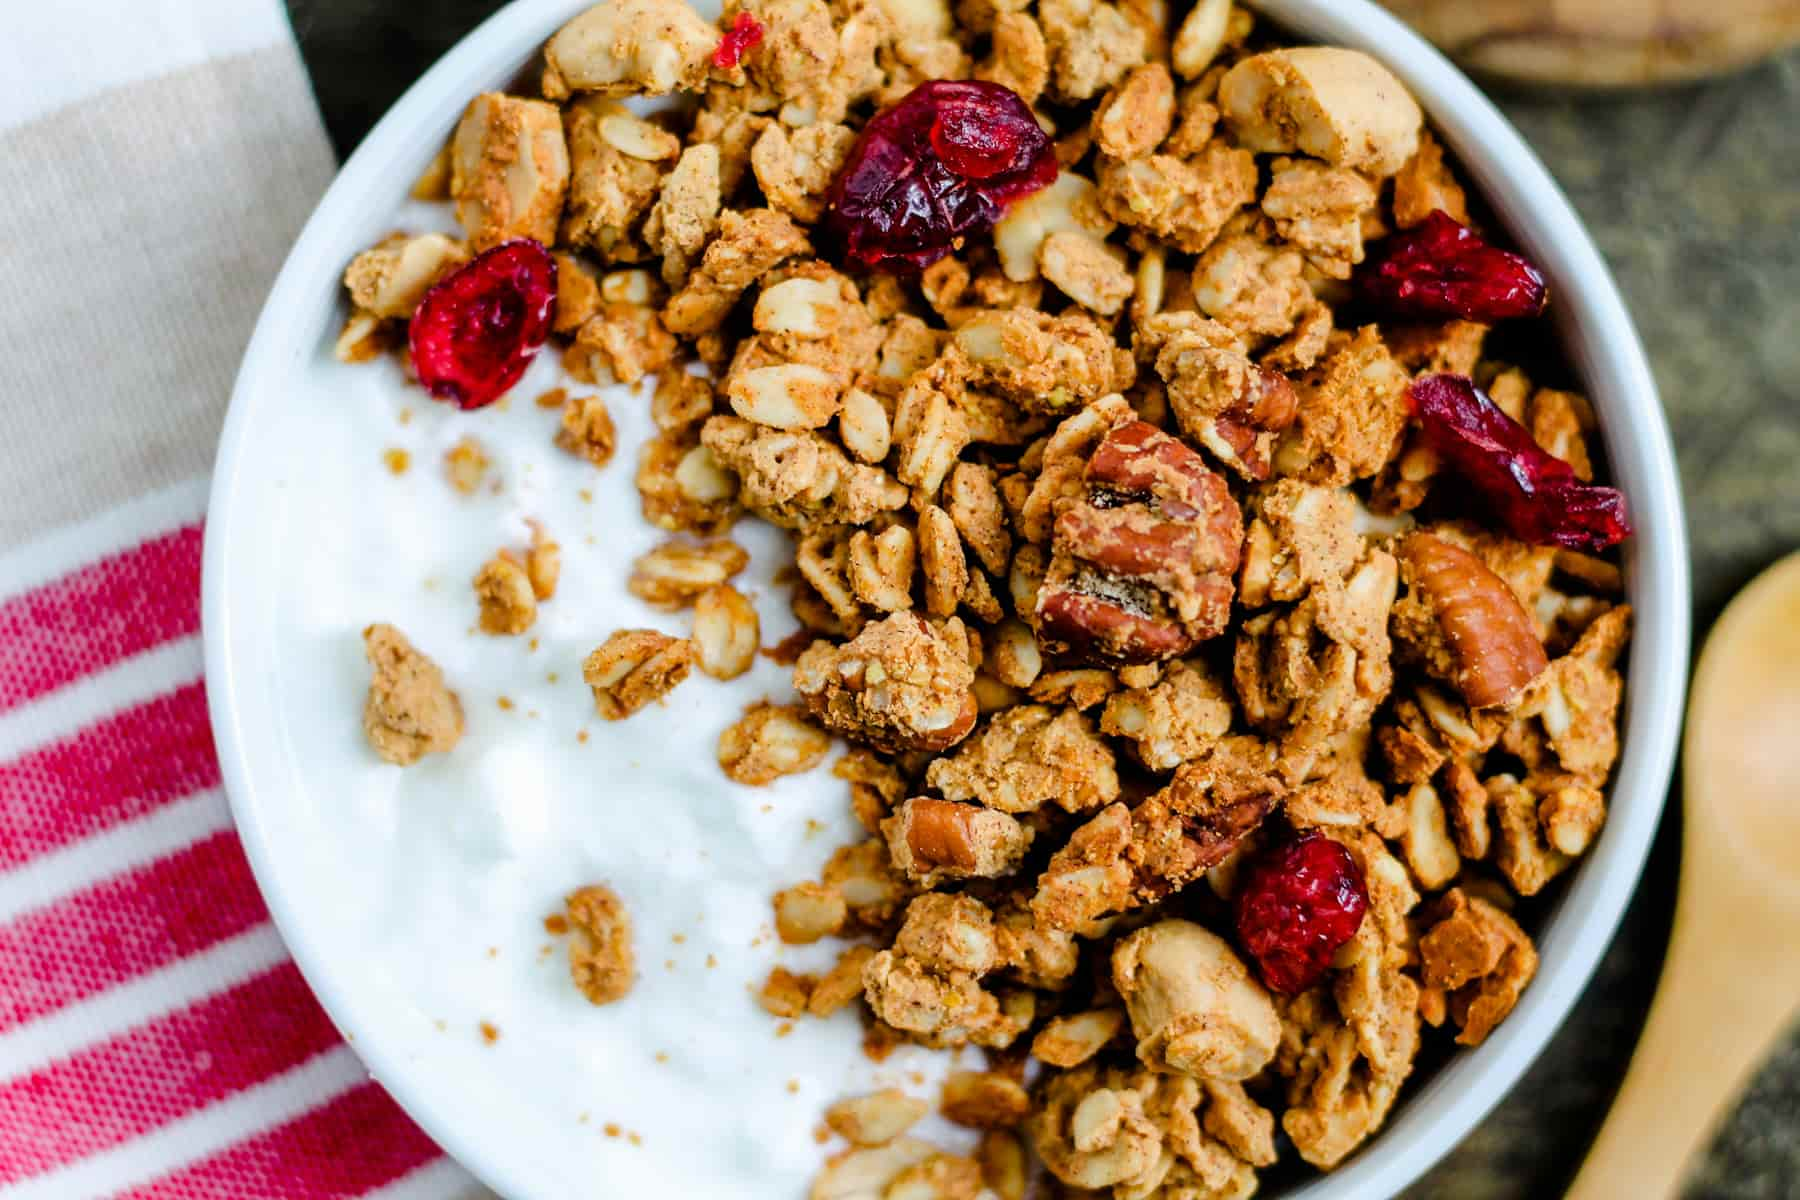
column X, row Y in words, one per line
column 1605, row 44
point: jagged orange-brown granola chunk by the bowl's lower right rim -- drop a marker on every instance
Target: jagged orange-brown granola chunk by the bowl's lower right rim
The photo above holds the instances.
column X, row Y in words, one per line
column 1482, row 958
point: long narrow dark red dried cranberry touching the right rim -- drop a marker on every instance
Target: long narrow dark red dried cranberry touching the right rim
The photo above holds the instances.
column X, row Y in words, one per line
column 1534, row 494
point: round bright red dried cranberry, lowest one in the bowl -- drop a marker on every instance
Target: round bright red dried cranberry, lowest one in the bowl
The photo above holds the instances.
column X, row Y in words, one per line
column 1297, row 906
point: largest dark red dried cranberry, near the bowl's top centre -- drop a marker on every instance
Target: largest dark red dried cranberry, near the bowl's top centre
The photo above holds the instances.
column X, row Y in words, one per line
column 933, row 170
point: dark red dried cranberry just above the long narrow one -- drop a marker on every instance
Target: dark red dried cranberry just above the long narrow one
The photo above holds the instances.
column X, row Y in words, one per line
column 1441, row 269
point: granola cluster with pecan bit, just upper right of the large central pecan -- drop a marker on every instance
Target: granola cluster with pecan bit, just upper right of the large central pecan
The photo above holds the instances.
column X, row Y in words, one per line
column 1219, row 397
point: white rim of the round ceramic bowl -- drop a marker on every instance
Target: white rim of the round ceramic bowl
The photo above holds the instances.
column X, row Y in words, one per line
column 1594, row 328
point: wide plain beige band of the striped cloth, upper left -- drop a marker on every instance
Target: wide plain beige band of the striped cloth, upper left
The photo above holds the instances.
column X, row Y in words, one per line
column 139, row 237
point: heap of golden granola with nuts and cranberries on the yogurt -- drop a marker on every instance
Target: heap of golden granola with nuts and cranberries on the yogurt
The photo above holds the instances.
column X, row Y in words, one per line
column 1212, row 715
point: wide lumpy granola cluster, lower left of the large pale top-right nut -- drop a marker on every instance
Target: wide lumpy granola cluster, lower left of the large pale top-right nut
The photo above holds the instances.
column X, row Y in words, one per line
column 1180, row 201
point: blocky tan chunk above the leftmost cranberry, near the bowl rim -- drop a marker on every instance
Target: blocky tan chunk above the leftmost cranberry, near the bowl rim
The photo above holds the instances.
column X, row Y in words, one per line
column 510, row 170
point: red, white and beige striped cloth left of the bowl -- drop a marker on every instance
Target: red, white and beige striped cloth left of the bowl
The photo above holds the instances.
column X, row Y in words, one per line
column 156, row 1041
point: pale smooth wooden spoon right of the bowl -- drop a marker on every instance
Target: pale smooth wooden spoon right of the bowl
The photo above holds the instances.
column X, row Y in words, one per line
column 1732, row 978
